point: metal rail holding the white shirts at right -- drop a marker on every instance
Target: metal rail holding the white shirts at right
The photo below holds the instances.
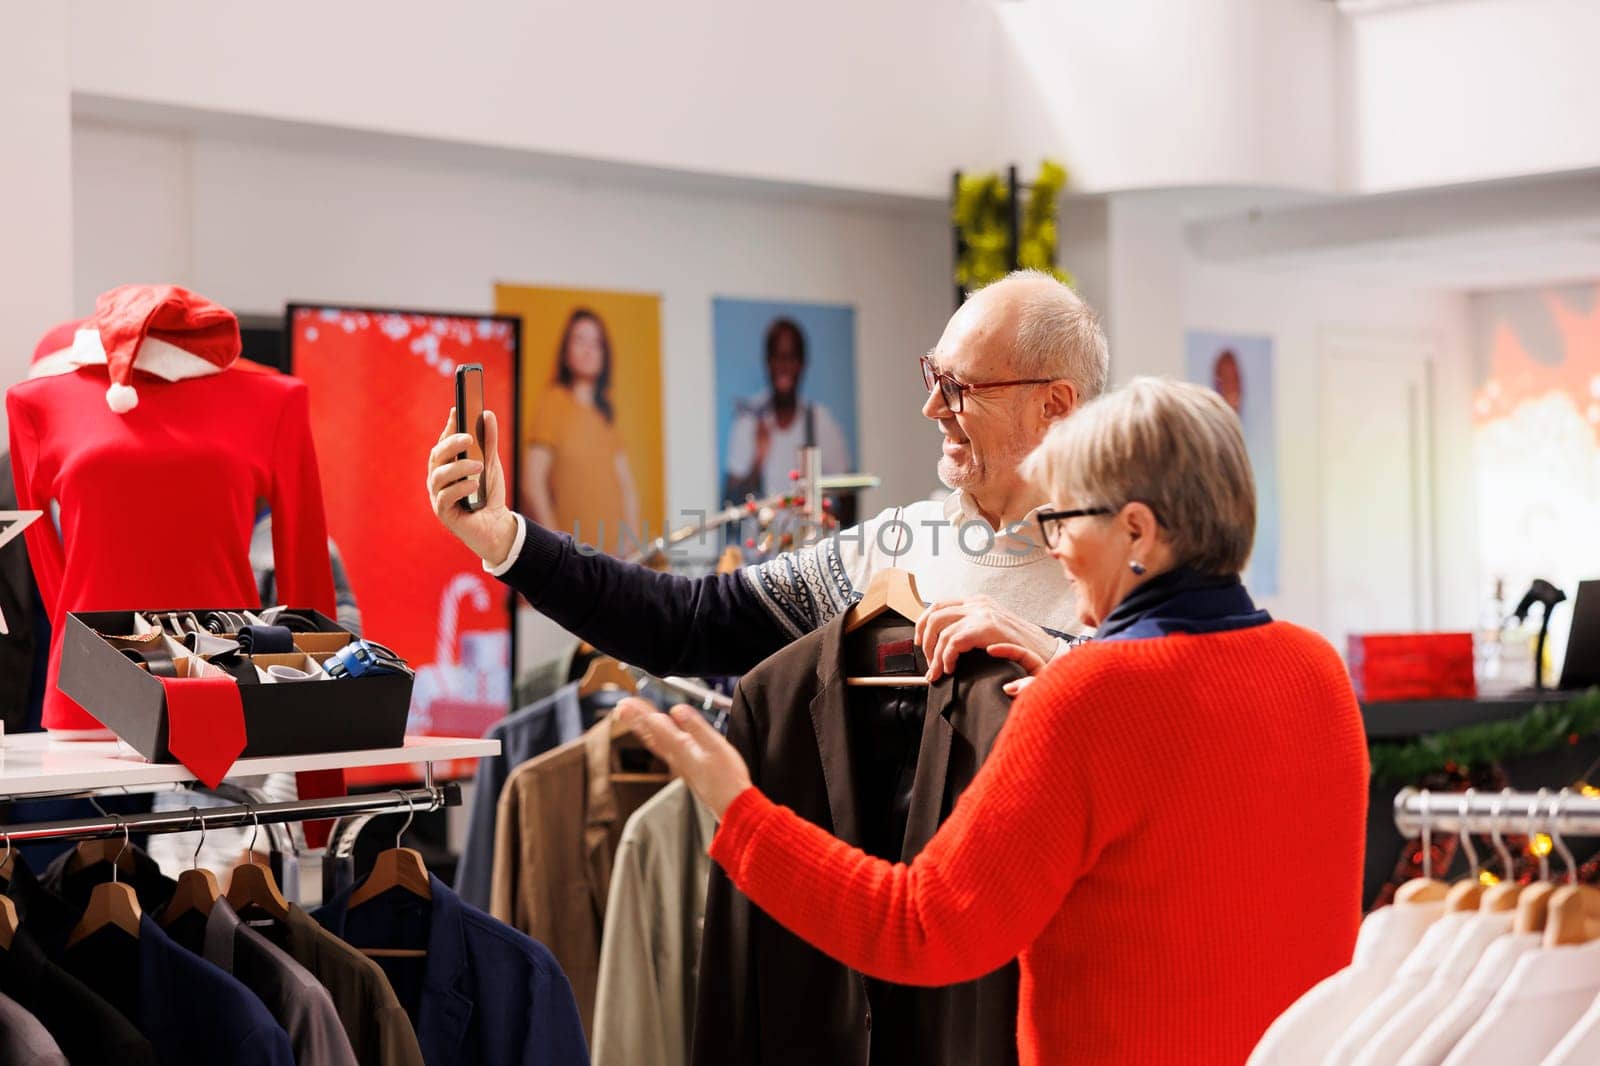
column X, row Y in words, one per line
column 1562, row 812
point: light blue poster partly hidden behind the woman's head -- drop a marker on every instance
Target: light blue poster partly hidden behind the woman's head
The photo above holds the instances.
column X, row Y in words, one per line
column 1239, row 367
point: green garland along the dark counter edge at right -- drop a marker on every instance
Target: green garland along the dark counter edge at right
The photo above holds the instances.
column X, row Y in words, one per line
column 1543, row 729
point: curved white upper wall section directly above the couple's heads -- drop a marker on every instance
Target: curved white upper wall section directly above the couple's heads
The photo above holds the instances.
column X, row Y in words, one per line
column 1151, row 94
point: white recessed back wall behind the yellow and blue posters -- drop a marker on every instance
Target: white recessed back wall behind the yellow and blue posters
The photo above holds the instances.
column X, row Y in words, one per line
column 255, row 226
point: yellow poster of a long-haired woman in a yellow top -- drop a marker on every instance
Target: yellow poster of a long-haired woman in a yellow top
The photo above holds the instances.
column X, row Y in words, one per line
column 591, row 414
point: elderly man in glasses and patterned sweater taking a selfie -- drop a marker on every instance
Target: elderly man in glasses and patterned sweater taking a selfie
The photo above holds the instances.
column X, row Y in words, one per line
column 1018, row 356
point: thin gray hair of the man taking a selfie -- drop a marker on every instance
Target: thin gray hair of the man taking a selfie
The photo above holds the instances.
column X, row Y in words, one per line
column 1058, row 335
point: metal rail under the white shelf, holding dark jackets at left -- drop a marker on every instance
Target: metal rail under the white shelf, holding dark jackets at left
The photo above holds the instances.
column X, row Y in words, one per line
column 242, row 816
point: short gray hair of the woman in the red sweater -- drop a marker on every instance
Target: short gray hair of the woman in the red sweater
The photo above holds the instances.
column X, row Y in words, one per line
column 1172, row 446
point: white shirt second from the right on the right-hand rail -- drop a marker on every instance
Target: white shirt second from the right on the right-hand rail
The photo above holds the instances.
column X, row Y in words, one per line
column 1545, row 998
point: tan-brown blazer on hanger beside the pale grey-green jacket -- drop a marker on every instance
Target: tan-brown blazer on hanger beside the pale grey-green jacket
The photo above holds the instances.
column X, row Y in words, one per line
column 556, row 836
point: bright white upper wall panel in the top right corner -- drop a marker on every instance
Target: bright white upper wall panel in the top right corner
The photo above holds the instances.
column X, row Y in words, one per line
column 1458, row 92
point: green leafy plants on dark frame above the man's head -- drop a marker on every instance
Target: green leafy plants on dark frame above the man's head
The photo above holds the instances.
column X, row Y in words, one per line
column 982, row 214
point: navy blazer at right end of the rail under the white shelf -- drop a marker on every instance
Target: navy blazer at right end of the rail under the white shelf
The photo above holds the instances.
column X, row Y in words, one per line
column 484, row 995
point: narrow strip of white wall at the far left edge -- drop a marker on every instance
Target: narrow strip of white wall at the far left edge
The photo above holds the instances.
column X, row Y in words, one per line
column 36, row 193
